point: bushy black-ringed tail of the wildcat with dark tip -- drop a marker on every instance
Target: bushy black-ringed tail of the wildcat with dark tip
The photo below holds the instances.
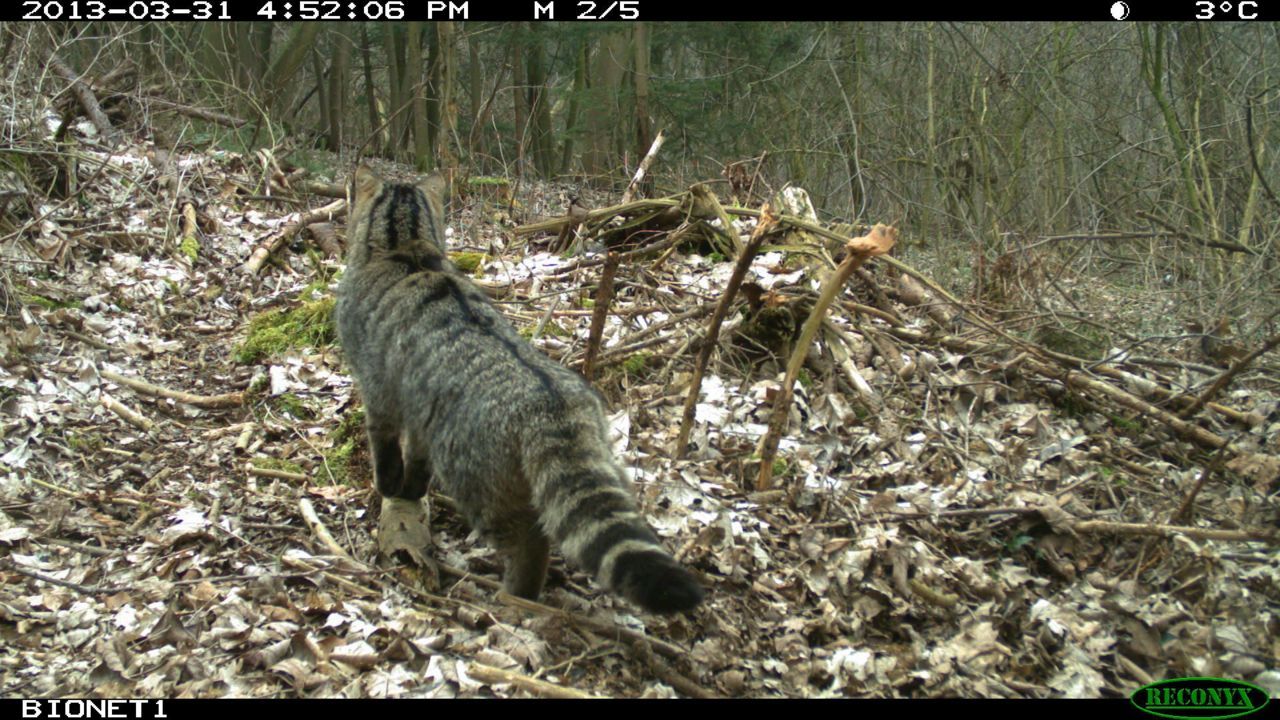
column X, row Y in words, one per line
column 588, row 509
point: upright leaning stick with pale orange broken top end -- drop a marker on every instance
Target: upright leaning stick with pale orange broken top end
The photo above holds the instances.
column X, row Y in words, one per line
column 880, row 241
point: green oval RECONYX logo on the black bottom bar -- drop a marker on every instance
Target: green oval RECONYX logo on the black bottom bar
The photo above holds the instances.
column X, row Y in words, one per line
column 1200, row 699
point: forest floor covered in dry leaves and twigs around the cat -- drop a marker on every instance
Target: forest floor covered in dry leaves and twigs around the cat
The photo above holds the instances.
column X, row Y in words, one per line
column 956, row 512
